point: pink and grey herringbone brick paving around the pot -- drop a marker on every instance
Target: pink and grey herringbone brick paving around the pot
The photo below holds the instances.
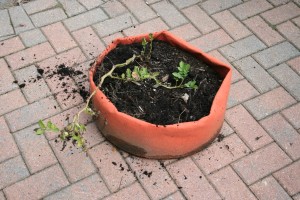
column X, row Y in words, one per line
column 259, row 158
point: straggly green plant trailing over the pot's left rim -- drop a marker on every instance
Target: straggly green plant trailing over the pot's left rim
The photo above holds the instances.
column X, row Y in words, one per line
column 74, row 130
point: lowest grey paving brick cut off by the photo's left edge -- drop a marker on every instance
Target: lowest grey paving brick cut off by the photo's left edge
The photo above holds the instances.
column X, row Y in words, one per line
column 11, row 171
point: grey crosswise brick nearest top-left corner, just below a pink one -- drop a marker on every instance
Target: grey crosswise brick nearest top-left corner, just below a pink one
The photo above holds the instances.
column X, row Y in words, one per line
column 48, row 17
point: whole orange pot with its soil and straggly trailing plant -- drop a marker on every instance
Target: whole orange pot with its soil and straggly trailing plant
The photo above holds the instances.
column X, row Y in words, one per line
column 157, row 97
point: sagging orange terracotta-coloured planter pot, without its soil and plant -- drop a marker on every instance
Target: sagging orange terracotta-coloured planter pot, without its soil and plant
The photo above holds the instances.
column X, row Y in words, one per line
column 161, row 142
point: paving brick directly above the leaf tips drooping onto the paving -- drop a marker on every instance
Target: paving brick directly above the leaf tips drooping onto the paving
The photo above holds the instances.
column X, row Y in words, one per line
column 31, row 113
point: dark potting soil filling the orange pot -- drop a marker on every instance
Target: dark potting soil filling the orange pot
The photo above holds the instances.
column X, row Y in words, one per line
column 160, row 106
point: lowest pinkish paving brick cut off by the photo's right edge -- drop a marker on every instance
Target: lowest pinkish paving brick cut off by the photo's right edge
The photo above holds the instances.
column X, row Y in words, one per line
column 288, row 178
